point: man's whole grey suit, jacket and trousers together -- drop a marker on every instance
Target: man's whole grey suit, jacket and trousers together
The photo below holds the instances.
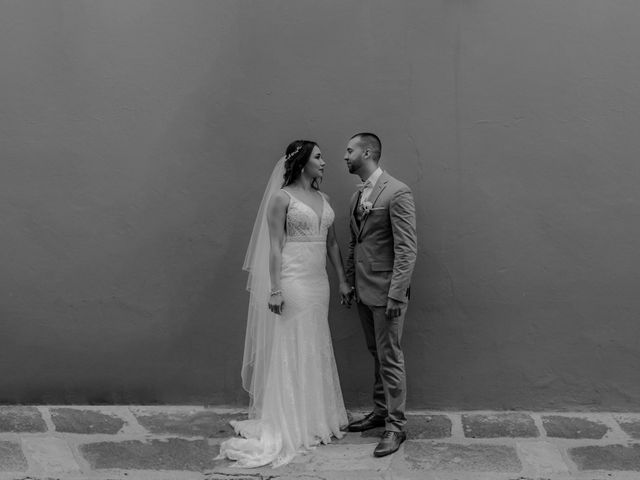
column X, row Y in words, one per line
column 382, row 254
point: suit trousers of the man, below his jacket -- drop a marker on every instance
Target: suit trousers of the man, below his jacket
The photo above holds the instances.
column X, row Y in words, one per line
column 383, row 337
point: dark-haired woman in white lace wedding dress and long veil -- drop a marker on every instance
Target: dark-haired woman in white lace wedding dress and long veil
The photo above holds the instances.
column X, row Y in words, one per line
column 289, row 368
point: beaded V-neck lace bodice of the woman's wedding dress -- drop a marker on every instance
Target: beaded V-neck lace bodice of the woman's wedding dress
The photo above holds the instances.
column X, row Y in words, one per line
column 303, row 224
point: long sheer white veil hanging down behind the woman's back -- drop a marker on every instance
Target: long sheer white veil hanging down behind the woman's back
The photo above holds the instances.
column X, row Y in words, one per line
column 260, row 320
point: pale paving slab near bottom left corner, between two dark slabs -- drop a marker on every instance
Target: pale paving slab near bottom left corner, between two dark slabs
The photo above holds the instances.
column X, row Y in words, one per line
column 50, row 455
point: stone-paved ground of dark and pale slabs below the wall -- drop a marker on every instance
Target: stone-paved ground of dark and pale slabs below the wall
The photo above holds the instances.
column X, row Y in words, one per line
column 181, row 442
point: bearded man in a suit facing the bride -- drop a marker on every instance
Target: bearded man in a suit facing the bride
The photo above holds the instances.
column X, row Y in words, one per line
column 382, row 254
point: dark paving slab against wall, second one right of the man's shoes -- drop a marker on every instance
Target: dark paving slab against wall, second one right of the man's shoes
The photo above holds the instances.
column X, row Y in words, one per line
column 499, row 425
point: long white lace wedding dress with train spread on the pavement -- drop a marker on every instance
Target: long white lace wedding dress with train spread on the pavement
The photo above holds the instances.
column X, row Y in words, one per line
column 302, row 402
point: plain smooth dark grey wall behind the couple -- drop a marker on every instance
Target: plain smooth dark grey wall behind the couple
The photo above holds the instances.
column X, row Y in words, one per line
column 136, row 137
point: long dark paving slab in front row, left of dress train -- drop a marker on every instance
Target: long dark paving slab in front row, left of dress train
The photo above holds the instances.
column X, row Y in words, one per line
column 170, row 454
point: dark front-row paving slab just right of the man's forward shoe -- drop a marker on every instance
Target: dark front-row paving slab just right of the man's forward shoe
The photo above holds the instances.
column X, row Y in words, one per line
column 455, row 457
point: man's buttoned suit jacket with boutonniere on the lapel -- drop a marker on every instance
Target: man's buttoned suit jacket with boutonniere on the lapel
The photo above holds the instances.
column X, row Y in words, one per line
column 383, row 249
